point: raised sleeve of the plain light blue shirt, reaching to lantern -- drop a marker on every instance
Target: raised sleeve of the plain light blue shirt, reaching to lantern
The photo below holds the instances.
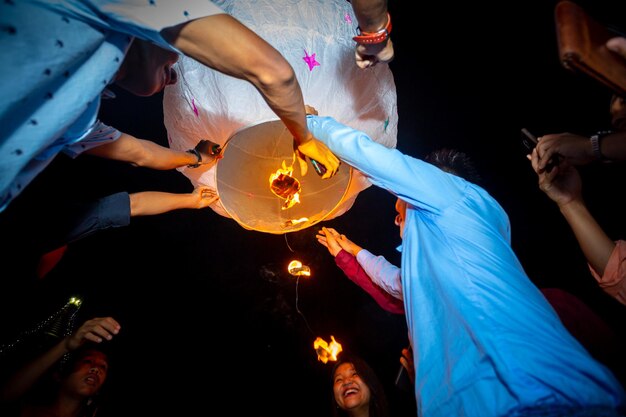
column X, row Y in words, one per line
column 417, row 182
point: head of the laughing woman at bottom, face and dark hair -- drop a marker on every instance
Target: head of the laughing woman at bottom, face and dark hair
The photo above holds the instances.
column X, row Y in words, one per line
column 356, row 390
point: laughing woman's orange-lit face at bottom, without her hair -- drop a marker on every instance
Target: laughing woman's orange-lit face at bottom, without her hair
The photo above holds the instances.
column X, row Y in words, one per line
column 351, row 392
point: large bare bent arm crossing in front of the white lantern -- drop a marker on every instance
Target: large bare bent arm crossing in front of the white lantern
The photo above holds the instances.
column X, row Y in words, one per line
column 248, row 57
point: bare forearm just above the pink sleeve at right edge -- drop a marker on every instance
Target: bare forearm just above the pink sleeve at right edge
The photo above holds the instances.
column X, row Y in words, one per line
column 593, row 241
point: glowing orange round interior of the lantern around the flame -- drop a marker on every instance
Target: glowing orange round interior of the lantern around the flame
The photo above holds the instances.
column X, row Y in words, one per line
column 263, row 152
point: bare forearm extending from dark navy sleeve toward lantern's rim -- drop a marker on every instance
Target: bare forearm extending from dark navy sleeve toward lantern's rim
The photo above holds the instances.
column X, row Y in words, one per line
column 148, row 203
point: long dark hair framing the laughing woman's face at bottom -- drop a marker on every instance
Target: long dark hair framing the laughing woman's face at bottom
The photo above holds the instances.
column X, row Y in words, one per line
column 379, row 407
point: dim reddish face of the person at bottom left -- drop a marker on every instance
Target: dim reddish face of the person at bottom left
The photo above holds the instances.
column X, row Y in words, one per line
column 88, row 374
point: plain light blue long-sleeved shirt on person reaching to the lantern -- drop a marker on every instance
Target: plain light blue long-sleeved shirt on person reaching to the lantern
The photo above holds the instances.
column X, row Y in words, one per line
column 485, row 340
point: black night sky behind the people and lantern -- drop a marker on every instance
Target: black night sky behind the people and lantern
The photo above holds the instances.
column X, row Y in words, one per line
column 209, row 315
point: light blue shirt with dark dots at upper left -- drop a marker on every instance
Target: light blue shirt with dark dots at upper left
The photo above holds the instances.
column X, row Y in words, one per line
column 57, row 58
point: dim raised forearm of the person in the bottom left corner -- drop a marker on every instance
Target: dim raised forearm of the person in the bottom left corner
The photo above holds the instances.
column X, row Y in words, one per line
column 25, row 378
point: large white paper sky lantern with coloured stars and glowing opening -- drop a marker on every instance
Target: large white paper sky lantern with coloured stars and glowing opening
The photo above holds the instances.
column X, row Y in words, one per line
column 206, row 104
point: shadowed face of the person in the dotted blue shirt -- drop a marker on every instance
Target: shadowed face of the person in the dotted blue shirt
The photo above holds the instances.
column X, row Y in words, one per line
column 148, row 69
